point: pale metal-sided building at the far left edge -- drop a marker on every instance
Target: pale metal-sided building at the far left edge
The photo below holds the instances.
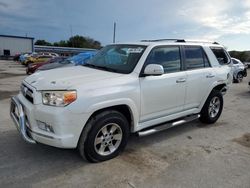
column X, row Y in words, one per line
column 12, row 45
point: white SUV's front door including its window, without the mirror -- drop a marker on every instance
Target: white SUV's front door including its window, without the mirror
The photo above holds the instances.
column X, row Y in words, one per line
column 163, row 95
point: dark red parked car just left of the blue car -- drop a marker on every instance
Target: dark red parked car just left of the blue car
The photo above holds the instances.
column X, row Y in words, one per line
column 34, row 66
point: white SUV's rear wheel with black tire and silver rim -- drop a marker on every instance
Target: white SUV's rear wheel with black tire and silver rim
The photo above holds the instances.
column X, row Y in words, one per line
column 212, row 108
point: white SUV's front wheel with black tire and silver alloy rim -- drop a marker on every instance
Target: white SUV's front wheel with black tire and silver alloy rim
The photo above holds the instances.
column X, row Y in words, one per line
column 104, row 136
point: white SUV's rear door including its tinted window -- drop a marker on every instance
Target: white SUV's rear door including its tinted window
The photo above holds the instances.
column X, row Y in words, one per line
column 200, row 75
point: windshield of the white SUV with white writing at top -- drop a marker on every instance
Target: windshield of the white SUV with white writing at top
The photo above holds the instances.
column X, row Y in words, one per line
column 117, row 58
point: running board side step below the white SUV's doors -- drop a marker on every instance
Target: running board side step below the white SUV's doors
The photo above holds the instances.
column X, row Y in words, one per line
column 168, row 125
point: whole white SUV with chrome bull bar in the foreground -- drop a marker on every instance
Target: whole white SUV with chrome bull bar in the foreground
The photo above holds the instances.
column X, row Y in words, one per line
column 139, row 88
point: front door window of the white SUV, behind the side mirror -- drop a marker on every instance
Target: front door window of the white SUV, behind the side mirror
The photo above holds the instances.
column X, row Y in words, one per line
column 167, row 56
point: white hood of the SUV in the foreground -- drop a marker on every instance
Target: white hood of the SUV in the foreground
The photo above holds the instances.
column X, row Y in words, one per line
column 67, row 77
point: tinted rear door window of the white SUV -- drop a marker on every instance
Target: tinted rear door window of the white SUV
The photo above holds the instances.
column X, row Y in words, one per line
column 195, row 58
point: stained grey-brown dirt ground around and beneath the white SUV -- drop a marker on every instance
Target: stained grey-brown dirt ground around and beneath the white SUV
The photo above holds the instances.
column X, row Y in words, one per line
column 190, row 156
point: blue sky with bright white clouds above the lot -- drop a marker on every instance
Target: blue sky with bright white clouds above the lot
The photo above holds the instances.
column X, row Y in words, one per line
column 224, row 21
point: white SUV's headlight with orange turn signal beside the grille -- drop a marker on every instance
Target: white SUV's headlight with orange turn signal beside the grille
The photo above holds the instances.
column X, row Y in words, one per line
column 58, row 98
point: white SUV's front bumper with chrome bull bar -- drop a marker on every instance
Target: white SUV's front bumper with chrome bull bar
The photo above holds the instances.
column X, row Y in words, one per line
column 67, row 126
